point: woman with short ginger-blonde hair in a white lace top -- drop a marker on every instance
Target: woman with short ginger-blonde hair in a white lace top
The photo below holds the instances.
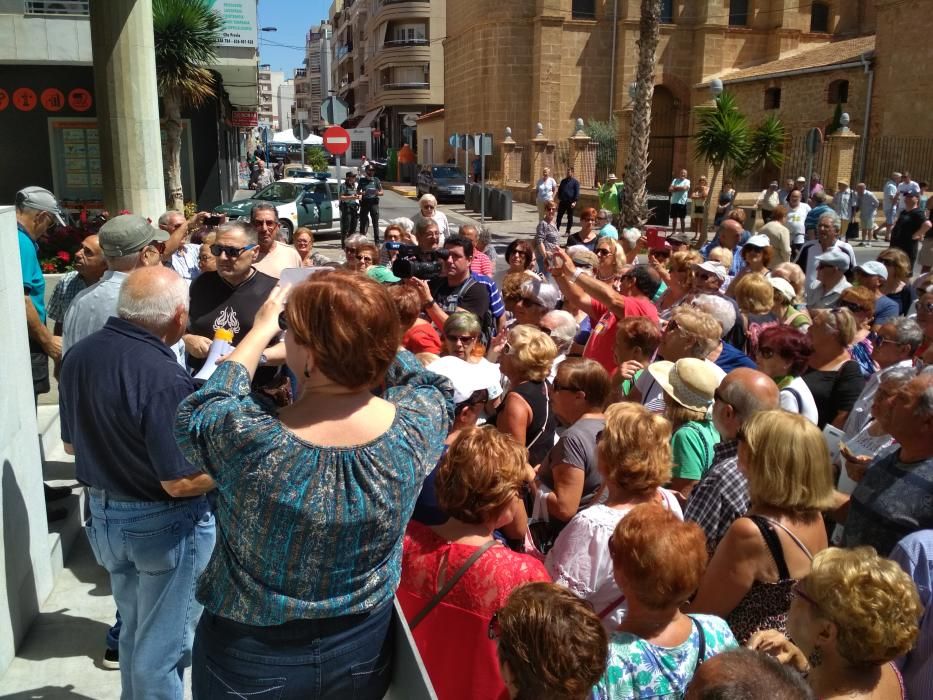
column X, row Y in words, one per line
column 634, row 455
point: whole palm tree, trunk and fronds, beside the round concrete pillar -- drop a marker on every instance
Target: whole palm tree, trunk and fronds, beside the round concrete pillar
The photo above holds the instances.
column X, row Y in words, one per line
column 186, row 36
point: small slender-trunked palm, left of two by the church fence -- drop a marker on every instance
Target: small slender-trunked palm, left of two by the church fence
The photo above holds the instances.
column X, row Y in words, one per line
column 721, row 139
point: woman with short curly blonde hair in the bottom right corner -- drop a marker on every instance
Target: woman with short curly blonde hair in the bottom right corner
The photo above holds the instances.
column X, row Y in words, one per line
column 851, row 616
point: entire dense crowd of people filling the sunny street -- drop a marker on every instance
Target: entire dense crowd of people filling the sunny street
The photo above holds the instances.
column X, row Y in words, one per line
column 632, row 469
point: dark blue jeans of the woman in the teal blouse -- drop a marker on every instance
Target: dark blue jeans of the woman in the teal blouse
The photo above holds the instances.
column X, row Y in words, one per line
column 344, row 657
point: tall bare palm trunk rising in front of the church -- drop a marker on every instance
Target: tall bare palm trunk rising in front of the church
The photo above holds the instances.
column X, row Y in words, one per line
column 634, row 194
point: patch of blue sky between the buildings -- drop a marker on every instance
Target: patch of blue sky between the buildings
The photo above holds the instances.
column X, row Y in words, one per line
column 293, row 19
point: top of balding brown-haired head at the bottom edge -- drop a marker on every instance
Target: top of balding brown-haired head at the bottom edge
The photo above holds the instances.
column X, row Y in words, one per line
column 743, row 674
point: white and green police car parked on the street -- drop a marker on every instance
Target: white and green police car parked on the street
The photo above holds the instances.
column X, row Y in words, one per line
column 299, row 201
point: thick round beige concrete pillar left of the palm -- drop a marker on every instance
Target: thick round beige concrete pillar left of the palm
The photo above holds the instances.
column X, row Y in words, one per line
column 127, row 106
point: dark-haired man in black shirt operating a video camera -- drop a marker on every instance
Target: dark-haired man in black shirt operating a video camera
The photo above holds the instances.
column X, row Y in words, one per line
column 454, row 289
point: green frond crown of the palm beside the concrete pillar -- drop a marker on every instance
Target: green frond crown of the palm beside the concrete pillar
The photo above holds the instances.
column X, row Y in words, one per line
column 186, row 34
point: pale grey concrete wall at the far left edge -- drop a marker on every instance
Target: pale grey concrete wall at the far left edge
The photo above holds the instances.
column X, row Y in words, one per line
column 26, row 575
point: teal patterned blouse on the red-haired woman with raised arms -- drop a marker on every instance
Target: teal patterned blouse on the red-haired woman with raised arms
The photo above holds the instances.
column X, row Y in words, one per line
column 309, row 532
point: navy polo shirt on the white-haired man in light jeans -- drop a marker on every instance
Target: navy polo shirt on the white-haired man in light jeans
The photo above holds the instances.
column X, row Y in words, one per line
column 118, row 395
